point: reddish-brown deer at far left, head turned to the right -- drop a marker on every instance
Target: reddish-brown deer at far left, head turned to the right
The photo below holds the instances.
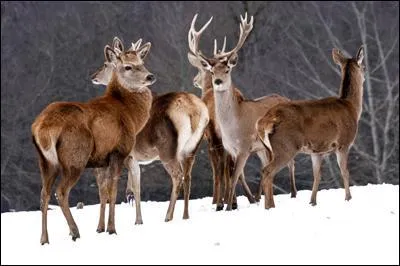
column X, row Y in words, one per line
column 72, row 136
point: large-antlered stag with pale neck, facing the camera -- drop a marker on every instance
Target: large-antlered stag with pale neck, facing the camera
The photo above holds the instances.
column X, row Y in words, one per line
column 233, row 117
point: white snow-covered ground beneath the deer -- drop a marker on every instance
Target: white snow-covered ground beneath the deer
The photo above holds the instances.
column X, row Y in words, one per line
column 364, row 230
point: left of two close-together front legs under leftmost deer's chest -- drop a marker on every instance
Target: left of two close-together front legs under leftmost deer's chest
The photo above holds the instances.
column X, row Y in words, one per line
column 102, row 179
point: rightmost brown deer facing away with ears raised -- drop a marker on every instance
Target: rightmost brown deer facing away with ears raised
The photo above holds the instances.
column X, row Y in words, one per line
column 316, row 127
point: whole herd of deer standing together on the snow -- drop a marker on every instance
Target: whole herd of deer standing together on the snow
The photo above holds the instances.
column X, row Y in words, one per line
column 129, row 126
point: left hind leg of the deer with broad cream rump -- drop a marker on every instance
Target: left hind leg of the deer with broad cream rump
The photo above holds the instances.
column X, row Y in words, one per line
column 174, row 170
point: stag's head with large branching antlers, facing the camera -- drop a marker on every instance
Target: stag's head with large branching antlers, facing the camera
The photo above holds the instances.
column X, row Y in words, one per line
column 222, row 63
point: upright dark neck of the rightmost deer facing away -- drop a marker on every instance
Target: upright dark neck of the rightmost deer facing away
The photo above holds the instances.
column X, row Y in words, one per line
column 351, row 89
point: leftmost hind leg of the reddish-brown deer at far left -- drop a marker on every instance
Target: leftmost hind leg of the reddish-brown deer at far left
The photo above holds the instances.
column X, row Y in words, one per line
column 49, row 174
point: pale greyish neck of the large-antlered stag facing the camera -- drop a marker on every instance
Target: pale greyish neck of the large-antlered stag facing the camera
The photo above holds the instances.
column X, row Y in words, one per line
column 226, row 104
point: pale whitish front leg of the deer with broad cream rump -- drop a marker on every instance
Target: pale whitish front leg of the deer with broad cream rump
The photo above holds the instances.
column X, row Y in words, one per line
column 134, row 185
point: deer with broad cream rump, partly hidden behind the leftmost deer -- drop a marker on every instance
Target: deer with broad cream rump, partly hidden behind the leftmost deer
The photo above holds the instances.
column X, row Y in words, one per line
column 172, row 135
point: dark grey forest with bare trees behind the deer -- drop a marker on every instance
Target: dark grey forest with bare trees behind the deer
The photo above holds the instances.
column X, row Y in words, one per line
column 49, row 50
